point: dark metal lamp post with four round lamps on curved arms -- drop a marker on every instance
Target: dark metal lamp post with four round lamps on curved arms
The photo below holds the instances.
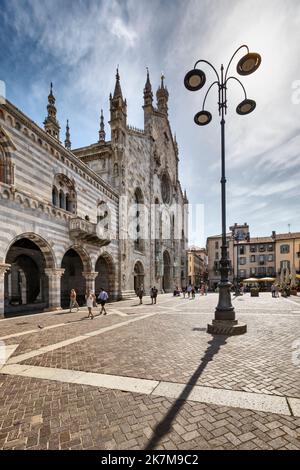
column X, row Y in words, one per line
column 224, row 321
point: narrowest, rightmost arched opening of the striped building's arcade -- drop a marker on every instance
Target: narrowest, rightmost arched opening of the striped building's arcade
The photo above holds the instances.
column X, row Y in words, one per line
column 106, row 276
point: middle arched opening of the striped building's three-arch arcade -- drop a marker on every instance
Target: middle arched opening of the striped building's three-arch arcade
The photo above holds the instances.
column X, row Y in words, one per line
column 72, row 278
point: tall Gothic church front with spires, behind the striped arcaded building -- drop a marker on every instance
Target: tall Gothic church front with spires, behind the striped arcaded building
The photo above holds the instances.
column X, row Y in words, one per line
column 142, row 165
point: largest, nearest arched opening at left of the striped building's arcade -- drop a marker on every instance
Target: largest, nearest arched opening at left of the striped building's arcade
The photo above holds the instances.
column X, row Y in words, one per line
column 26, row 286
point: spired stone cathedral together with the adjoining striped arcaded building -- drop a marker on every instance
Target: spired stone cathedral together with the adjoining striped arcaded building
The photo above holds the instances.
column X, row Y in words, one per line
column 109, row 215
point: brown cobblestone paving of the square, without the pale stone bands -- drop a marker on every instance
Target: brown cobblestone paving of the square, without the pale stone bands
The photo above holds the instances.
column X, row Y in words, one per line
column 172, row 346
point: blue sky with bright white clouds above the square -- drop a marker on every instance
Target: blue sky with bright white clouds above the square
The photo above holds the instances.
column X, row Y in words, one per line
column 77, row 44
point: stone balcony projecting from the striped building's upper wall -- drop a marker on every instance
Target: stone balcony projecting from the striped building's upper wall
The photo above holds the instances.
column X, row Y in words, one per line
column 87, row 232
